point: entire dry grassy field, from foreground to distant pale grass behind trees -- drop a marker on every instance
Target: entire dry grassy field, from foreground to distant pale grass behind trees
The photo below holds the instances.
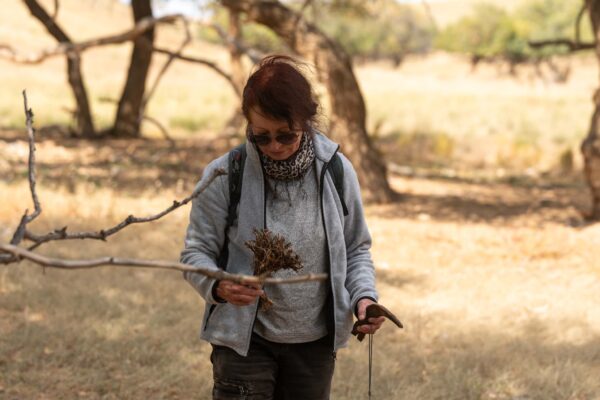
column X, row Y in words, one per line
column 485, row 258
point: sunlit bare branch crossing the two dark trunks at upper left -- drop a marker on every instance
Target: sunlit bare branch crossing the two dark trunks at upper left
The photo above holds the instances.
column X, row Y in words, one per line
column 7, row 52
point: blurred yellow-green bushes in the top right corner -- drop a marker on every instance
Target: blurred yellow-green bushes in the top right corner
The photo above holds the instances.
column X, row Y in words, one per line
column 492, row 32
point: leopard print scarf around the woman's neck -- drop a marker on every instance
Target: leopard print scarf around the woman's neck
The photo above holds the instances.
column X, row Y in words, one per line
column 294, row 167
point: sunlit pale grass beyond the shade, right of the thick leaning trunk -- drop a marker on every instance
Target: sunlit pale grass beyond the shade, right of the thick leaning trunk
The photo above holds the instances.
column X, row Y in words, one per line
column 480, row 119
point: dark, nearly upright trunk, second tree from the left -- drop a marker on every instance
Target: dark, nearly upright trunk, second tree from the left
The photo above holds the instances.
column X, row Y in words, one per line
column 128, row 119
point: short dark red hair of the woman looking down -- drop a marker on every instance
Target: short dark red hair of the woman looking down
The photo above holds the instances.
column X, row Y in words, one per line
column 277, row 89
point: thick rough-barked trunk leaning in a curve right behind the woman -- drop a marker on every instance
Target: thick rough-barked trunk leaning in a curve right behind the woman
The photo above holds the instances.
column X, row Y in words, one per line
column 334, row 70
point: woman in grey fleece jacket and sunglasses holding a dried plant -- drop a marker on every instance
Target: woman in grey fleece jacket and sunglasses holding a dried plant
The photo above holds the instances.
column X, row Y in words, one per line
column 288, row 351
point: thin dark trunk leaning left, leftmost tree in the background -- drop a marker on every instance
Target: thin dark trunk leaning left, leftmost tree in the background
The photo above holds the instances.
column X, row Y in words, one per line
column 85, row 124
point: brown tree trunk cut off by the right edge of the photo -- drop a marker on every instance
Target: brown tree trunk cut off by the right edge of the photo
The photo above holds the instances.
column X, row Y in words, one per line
column 591, row 145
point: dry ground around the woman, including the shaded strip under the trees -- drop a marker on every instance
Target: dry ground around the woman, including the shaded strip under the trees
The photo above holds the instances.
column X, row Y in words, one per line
column 497, row 284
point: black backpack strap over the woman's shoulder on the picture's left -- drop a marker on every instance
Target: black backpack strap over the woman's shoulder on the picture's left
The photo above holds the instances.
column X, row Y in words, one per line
column 237, row 159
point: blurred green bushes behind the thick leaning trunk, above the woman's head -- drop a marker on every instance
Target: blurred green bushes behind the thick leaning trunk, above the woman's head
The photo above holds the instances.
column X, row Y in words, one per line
column 369, row 30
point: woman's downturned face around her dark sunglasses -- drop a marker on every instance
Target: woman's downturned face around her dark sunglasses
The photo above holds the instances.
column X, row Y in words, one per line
column 261, row 125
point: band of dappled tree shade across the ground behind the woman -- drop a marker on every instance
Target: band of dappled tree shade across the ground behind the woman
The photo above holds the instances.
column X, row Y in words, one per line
column 134, row 165
